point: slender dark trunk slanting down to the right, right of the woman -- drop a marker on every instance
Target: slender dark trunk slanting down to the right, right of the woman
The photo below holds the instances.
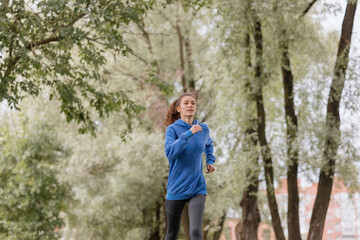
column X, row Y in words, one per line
column 265, row 149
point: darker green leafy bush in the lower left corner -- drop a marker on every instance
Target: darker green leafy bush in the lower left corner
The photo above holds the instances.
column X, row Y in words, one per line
column 31, row 197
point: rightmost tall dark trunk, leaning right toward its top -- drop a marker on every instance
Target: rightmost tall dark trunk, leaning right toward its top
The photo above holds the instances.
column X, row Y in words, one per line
column 332, row 138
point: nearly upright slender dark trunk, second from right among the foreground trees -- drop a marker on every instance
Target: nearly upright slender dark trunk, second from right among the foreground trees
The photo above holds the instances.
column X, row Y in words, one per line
column 292, row 151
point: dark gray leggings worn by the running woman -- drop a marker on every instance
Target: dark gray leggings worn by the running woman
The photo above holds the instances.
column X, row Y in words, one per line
column 174, row 209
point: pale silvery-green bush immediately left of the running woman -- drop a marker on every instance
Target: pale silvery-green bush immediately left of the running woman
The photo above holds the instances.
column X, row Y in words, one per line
column 116, row 185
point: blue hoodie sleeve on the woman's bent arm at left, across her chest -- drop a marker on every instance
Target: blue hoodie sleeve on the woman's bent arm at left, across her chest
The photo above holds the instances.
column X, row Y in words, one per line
column 173, row 146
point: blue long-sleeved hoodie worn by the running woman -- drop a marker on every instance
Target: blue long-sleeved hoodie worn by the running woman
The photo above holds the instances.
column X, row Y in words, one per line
column 184, row 152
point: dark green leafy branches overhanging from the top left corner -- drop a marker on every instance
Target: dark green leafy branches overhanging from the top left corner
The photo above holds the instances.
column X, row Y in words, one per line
column 61, row 45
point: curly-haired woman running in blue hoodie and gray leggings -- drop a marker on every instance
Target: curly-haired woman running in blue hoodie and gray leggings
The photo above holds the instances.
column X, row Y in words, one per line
column 185, row 141
